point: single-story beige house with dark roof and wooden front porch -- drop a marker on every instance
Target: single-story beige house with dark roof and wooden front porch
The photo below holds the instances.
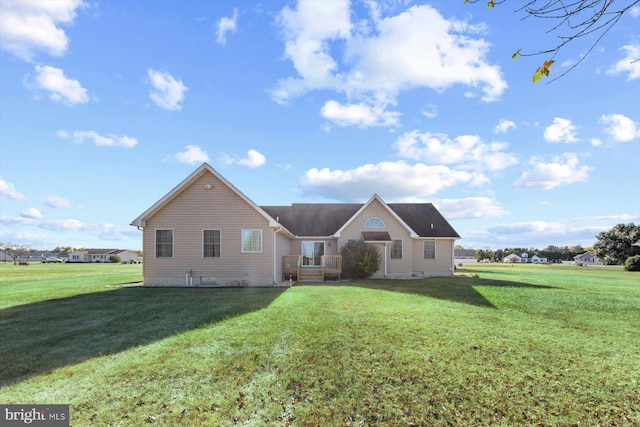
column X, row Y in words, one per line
column 206, row 232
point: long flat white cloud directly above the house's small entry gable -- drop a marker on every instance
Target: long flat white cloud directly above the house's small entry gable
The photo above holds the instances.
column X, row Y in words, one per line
column 391, row 180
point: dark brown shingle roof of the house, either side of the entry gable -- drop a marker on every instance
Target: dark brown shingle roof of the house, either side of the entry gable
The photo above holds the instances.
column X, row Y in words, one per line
column 324, row 219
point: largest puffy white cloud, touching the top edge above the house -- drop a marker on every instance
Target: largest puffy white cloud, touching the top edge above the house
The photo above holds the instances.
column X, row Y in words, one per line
column 382, row 57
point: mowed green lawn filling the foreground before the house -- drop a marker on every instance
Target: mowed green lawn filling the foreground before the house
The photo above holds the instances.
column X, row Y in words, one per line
column 523, row 345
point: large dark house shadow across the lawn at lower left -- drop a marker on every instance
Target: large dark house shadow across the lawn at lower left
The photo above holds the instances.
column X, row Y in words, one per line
column 39, row 337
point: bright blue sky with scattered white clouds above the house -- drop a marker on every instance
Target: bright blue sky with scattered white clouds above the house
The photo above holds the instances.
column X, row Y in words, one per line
column 105, row 106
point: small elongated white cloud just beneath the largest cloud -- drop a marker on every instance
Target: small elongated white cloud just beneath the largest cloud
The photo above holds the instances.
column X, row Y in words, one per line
column 360, row 114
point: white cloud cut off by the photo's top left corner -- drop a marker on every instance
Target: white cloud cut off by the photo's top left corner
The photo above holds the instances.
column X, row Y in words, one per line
column 30, row 26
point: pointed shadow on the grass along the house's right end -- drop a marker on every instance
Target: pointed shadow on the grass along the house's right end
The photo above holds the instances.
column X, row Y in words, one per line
column 456, row 289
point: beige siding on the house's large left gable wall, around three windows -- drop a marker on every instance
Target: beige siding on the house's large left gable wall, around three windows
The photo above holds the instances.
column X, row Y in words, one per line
column 196, row 209
